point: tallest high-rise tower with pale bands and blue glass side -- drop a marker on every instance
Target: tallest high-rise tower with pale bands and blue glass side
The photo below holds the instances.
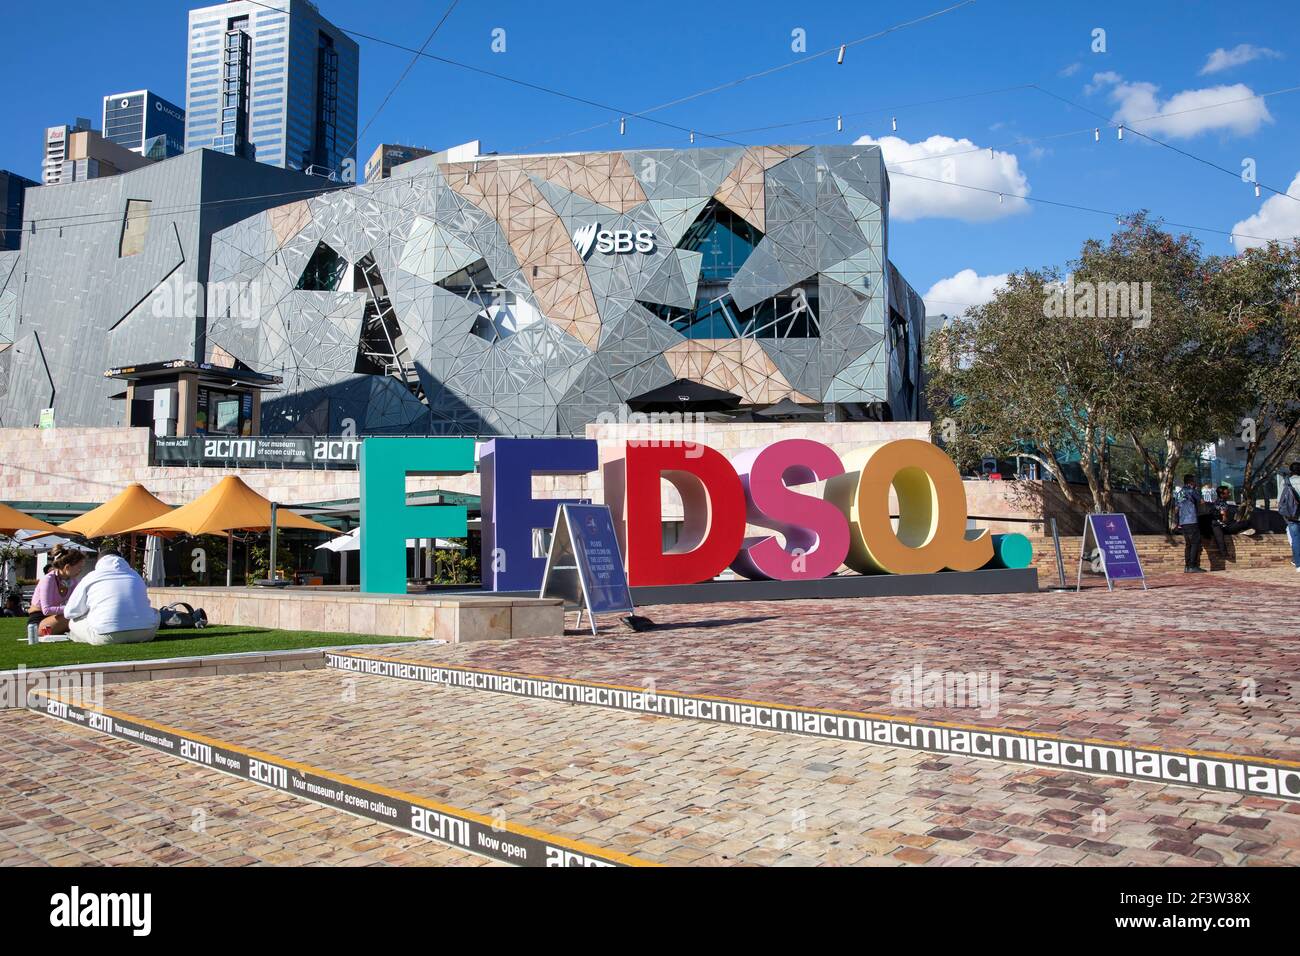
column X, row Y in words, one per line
column 276, row 83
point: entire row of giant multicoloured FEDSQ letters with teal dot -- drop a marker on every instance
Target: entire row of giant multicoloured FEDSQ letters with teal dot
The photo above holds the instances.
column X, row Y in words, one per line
column 850, row 524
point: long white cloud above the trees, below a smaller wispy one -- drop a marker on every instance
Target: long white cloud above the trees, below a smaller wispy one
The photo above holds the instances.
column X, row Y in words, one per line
column 1227, row 109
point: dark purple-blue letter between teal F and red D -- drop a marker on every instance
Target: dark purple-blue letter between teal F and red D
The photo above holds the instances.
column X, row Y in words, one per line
column 510, row 511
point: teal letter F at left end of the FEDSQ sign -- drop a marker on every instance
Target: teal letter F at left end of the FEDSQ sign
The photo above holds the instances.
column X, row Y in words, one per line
column 388, row 524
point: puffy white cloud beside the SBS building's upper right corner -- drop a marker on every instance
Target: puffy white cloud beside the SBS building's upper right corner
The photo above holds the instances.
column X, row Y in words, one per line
column 943, row 162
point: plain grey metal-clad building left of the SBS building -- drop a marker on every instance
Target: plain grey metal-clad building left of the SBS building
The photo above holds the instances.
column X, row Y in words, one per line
column 115, row 272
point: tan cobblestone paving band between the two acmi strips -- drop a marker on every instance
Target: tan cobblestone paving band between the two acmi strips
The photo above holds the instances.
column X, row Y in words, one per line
column 683, row 793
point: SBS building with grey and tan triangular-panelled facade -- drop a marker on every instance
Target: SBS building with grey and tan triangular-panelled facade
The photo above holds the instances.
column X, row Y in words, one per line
column 530, row 295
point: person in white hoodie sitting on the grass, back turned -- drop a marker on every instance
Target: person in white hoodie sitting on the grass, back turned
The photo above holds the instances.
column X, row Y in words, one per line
column 111, row 605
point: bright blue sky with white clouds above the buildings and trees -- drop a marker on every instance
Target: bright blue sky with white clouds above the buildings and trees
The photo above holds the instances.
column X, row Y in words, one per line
column 1160, row 58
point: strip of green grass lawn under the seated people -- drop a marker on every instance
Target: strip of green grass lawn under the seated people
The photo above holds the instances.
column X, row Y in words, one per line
column 231, row 639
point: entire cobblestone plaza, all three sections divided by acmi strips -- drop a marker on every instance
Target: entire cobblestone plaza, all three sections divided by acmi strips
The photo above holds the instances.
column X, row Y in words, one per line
column 1164, row 667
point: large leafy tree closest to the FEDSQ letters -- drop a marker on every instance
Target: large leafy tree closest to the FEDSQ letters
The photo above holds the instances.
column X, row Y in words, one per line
column 1121, row 354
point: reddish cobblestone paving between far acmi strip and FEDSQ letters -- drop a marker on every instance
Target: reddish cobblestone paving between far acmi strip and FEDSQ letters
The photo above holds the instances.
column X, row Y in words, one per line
column 1210, row 663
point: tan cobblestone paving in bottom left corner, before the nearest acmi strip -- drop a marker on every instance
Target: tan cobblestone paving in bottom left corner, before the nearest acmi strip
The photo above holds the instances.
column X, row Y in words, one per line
column 72, row 798
